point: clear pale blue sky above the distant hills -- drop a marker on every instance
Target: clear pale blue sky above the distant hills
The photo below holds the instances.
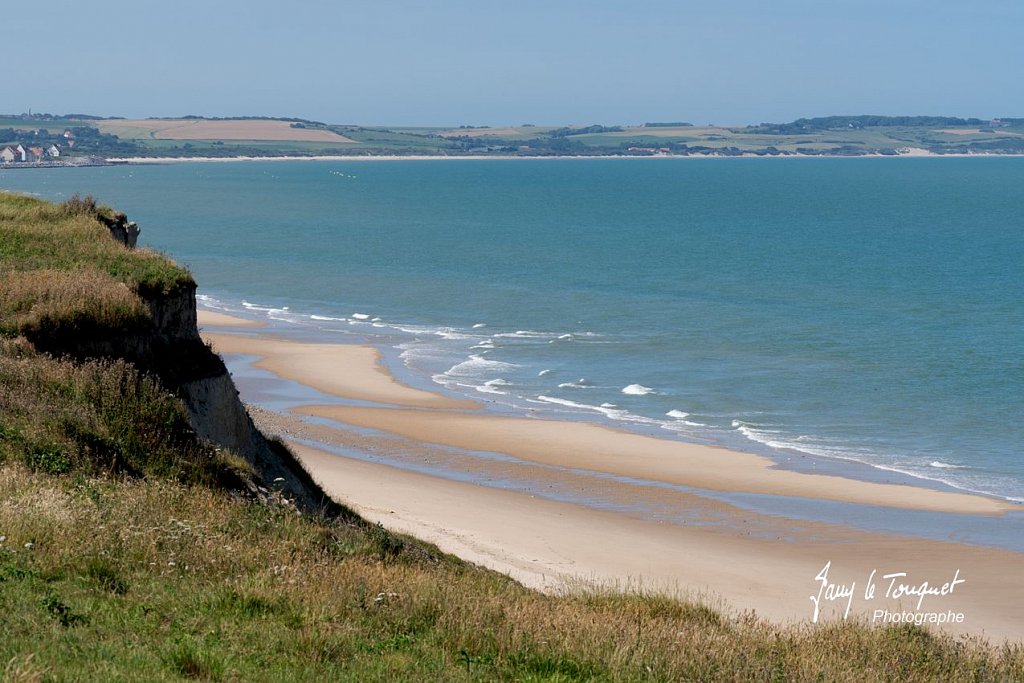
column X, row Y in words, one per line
column 505, row 63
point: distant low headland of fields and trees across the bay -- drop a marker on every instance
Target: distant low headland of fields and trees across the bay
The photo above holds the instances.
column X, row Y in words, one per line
column 29, row 141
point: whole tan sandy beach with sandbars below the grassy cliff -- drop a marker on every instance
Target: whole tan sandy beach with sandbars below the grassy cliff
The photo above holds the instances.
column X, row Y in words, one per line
column 563, row 503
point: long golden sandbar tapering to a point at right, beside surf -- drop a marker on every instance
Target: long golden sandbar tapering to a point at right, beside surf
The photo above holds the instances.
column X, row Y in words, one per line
column 617, row 453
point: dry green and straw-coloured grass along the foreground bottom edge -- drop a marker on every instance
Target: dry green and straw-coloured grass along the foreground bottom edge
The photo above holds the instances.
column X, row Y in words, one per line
column 151, row 580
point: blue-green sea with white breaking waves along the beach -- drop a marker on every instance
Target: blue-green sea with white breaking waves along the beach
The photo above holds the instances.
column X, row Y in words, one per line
column 845, row 310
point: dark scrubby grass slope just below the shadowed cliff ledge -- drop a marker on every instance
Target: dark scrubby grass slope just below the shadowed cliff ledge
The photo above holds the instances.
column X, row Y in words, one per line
column 99, row 417
